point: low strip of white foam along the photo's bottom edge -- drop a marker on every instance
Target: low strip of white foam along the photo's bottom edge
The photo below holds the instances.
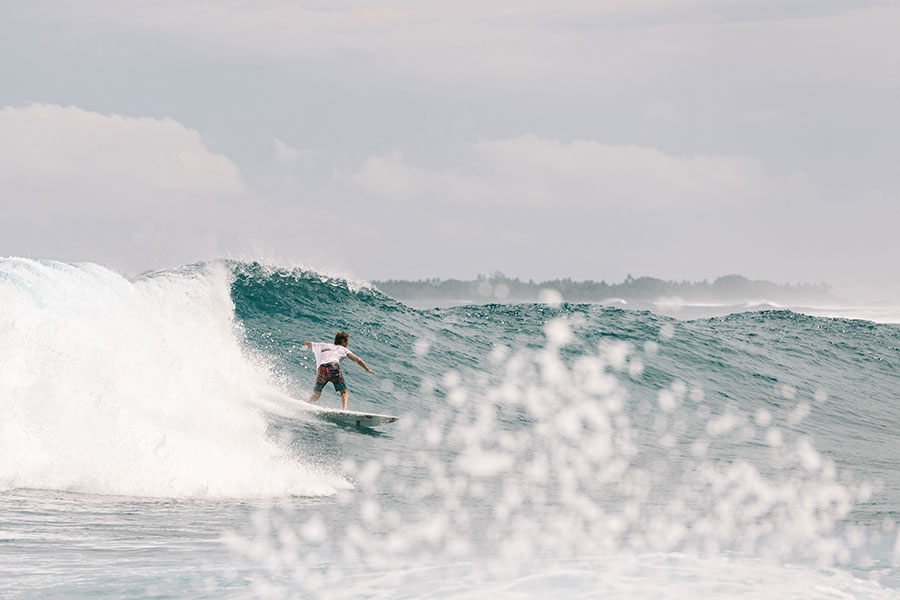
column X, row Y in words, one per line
column 666, row 576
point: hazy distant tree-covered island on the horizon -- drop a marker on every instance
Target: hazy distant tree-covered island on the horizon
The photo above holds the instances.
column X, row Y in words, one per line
column 500, row 288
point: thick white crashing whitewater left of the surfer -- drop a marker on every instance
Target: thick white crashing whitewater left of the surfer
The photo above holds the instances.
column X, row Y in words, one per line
column 139, row 388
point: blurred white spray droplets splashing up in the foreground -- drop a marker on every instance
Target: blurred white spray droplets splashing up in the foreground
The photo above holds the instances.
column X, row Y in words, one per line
column 541, row 458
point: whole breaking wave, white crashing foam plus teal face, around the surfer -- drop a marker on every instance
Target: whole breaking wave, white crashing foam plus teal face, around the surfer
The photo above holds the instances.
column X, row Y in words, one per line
column 162, row 385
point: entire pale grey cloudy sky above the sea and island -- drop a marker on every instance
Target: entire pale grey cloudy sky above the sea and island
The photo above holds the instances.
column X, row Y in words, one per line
column 681, row 139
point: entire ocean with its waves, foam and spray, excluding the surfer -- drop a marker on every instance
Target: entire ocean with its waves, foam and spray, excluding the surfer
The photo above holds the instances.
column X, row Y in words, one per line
column 153, row 443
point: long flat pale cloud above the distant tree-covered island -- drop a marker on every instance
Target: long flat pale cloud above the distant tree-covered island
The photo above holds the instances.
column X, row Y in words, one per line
column 538, row 172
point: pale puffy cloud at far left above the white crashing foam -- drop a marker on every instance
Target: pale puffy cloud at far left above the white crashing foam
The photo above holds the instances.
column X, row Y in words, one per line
column 47, row 151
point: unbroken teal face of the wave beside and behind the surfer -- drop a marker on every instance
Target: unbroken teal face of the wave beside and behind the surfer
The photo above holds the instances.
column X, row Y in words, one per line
column 842, row 373
